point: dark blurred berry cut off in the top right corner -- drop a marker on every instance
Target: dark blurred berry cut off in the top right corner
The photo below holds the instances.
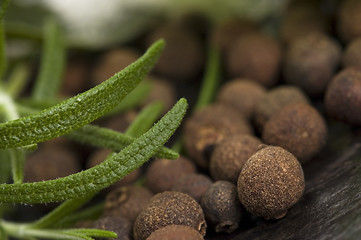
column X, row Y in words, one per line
column 349, row 20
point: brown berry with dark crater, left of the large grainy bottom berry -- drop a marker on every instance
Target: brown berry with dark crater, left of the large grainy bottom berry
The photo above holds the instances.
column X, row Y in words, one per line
column 127, row 201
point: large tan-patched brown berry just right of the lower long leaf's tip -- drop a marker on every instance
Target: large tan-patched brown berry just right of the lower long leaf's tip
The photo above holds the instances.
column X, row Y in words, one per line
column 210, row 125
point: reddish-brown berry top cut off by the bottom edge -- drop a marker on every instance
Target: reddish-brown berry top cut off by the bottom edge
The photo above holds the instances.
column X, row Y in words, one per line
column 175, row 232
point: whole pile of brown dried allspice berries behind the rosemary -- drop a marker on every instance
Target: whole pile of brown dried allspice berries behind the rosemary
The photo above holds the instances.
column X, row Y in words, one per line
column 243, row 153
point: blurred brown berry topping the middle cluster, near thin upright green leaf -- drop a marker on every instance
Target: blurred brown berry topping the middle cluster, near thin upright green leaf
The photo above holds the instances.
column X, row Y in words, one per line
column 242, row 94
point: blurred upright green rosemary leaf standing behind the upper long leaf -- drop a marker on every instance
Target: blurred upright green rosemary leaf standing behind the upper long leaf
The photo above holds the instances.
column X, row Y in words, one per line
column 52, row 62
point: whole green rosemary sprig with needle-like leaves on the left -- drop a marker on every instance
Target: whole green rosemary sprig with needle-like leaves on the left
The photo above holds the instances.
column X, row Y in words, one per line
column 44, row 117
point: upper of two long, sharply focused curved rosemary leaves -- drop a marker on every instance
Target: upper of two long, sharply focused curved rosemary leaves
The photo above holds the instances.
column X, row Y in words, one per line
column 78, row 110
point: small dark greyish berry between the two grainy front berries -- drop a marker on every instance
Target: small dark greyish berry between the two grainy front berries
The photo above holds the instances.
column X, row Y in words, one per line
column 221, row 206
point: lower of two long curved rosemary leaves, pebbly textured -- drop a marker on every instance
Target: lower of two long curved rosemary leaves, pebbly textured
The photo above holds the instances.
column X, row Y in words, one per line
column 103, row 175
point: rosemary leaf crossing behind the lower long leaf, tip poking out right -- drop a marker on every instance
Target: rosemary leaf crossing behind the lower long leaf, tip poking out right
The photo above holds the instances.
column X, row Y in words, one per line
column 107, row 138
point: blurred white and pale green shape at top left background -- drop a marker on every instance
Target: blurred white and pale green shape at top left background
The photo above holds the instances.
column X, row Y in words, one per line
column 94, row 23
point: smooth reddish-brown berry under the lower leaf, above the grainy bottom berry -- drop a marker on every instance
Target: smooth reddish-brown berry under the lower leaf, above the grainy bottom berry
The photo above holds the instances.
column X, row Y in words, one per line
column 162, row 173
